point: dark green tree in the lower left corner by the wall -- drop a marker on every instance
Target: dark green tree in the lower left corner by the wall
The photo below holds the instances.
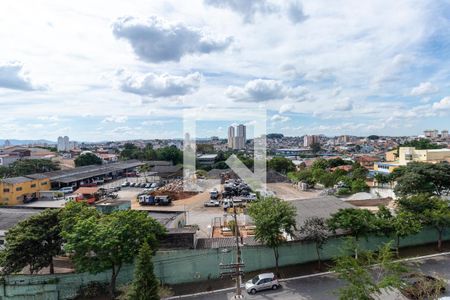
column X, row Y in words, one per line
column 32, row 243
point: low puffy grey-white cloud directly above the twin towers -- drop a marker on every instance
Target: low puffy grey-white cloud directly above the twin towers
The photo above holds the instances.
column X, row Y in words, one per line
column 261, row 90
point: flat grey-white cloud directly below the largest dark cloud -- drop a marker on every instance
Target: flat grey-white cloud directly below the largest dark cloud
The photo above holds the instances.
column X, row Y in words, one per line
column 154, row 85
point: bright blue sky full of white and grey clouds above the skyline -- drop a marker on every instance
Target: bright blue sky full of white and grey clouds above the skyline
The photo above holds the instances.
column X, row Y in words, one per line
column 117, row 70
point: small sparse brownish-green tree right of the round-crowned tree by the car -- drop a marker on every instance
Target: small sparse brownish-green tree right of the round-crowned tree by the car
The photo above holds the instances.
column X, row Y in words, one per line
column 315, row 230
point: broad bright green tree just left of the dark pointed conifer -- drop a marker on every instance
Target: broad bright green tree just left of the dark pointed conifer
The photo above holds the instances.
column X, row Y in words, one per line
column 102, row 242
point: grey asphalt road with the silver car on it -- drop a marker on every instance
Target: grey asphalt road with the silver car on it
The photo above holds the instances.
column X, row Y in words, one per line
column 324, row 287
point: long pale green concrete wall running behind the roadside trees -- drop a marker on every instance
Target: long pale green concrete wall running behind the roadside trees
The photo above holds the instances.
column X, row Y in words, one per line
column 180, row 266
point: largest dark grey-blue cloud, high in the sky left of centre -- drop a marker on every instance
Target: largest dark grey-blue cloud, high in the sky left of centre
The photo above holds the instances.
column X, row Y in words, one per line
column 156, row 40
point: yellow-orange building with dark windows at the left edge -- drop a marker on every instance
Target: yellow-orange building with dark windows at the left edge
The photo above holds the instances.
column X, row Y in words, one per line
column 16, row 190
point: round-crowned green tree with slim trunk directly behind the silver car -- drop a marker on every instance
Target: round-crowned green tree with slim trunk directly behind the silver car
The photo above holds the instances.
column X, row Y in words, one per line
column 273, row 217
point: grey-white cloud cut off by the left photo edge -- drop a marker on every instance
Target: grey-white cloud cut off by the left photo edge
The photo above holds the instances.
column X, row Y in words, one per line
column 12, row 76
